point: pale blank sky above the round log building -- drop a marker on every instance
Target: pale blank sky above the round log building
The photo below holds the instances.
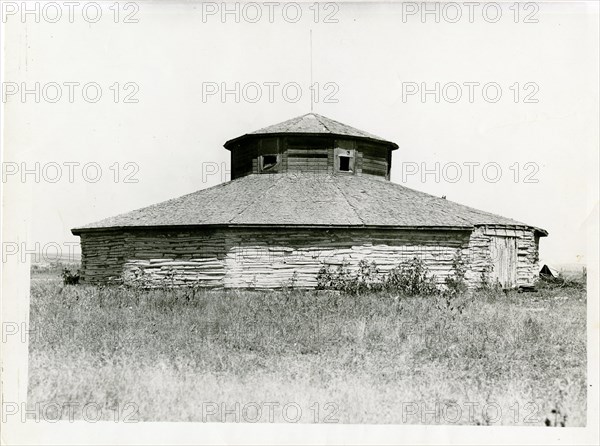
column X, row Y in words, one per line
column 157, row 129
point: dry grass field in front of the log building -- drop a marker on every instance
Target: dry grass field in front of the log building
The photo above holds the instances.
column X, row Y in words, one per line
column 192, row 355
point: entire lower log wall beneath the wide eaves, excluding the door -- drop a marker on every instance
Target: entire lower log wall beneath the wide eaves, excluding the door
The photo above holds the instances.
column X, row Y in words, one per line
column 272, row 258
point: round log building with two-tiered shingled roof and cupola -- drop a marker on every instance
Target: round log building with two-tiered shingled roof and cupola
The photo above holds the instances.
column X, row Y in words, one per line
column 304, row 193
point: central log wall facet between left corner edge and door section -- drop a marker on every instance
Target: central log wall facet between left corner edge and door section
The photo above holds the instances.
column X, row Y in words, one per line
column 272, row 259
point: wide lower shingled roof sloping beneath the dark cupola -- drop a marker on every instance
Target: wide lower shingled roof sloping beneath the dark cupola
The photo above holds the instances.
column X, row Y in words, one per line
column 308, row 200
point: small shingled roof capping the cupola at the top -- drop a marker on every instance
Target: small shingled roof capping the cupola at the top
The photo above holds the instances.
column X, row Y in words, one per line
column 314, row 124
